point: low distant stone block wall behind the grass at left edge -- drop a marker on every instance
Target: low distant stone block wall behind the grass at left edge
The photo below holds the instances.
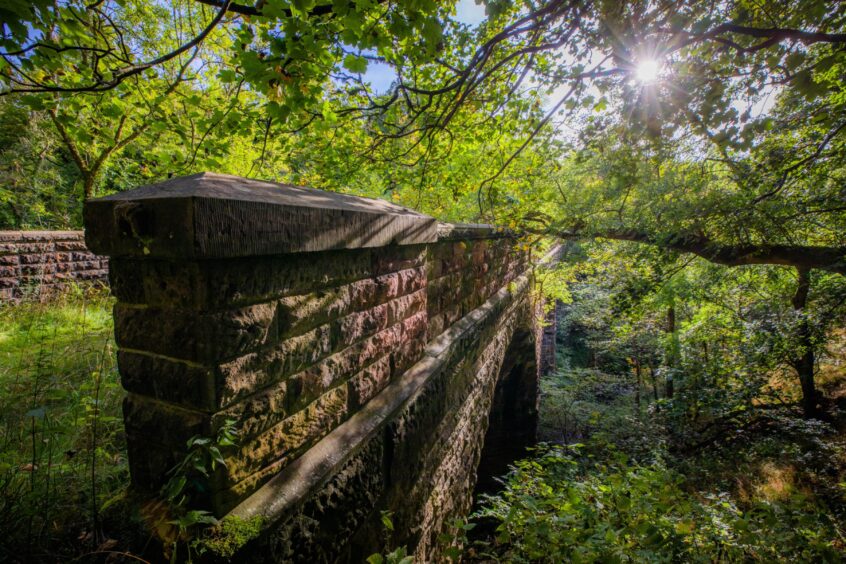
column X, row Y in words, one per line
column 36, row 263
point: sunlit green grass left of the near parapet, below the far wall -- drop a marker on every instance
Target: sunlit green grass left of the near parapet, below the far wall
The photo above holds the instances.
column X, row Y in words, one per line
column 62, row 450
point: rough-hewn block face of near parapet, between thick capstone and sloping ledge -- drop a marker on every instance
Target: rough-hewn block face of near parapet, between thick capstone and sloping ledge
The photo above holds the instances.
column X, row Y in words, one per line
column 286, row 362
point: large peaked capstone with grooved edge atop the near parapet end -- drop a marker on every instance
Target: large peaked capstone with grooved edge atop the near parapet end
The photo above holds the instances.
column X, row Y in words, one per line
column 215, row 216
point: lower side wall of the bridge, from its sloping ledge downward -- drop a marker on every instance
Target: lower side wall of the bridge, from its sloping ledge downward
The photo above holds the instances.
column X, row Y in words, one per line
column 413, row 451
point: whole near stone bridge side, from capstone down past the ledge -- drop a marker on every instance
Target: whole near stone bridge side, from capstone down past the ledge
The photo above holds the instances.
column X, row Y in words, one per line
column 370, row 358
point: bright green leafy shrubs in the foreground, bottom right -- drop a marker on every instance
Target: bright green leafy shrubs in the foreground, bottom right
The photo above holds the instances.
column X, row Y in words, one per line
column 558, row 505
